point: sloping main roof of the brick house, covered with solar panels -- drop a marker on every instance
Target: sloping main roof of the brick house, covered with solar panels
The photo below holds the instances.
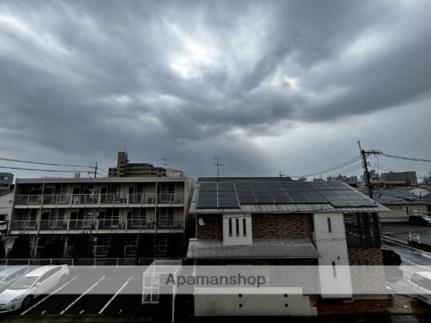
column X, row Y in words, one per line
column 277, row 195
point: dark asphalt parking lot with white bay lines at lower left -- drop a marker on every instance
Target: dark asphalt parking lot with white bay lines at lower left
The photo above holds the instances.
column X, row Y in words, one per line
column 98, row 292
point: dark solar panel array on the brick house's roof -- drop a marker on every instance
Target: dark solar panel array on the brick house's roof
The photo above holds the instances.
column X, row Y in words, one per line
column 225, row 194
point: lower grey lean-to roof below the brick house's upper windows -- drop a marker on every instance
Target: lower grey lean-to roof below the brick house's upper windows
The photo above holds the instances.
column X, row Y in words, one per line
column 261, row 249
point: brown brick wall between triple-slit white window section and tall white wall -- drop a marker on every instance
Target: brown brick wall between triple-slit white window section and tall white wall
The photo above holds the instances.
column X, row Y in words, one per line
column 282, row 226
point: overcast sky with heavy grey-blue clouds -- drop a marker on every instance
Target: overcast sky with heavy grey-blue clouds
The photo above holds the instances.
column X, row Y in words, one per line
column 267, row 86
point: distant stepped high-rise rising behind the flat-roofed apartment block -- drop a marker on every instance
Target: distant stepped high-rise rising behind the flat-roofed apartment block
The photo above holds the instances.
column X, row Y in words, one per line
column 126, row 169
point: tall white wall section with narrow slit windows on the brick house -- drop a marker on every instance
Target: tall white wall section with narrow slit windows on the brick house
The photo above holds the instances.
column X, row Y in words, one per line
column 334, row 271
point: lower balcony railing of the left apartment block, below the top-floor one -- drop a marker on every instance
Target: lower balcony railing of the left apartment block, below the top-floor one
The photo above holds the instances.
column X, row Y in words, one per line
column 87, row 224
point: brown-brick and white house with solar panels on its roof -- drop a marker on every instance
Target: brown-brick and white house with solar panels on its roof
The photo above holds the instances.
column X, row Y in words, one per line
column 274, row 221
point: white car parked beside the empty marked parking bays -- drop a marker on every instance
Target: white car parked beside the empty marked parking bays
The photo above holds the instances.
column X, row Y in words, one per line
column 39, row 281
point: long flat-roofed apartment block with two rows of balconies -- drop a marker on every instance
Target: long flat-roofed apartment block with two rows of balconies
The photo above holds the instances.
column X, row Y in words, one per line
column 102, row 217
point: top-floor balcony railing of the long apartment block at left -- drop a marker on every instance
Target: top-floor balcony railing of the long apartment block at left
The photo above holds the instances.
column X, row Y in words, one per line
column 95, row 199
